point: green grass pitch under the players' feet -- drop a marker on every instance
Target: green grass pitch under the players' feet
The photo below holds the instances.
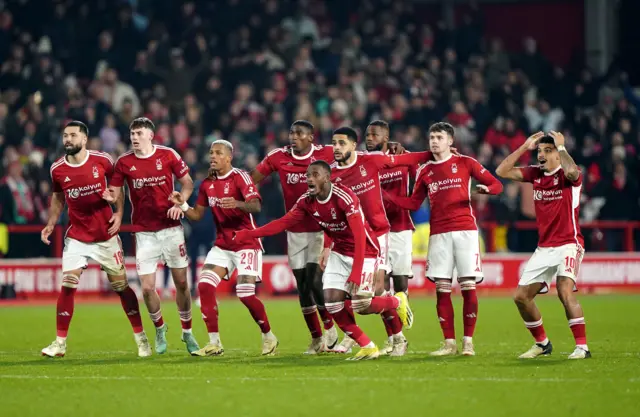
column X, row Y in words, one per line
column 101, row 374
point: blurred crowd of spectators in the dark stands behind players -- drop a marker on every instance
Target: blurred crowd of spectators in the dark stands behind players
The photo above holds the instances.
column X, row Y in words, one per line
column 244, row 70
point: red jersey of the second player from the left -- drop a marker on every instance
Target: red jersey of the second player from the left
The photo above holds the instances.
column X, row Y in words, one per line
column 150, row 182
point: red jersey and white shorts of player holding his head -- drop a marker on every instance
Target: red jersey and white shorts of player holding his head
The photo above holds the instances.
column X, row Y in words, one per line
column 560, row 243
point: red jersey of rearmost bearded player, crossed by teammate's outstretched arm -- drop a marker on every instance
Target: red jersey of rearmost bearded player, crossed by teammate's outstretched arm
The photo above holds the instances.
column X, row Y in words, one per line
column 395, row 181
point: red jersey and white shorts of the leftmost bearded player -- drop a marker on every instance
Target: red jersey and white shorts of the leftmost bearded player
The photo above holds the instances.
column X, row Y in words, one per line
column 87, row 236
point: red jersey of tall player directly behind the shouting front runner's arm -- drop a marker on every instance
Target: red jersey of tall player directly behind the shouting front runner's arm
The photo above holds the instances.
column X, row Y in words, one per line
column 292, row 170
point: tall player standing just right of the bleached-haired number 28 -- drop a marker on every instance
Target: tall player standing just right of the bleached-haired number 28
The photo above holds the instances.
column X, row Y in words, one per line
column 304, row 240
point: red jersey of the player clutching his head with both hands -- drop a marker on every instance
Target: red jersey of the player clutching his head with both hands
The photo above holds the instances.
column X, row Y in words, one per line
column 557, row 203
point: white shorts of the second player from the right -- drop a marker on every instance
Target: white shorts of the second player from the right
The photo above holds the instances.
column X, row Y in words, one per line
column 458, row 250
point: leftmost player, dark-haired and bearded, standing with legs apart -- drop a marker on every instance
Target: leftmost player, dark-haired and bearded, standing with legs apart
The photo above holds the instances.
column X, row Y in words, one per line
column 79, row 179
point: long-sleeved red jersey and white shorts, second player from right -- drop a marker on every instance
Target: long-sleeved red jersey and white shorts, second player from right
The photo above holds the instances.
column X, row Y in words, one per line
column 454, row 241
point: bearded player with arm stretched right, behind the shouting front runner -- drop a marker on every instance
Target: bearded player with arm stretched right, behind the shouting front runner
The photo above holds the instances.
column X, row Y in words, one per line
column 360, row 172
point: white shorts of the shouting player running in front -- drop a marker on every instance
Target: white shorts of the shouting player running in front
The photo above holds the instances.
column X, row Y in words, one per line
column 338, row 271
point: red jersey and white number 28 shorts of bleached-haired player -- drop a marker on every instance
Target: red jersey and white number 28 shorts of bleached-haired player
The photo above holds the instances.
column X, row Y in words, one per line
column 246, row 257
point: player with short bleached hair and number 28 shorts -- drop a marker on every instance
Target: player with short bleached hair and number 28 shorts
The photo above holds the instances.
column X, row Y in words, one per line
column 232, row 197
